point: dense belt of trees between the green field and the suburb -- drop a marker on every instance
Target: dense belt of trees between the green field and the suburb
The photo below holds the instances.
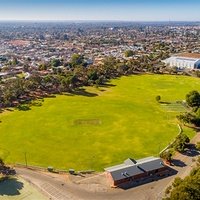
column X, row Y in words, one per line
column 66, row 77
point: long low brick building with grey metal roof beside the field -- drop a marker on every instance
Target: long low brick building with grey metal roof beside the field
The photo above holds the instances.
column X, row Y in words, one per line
column 134, row 170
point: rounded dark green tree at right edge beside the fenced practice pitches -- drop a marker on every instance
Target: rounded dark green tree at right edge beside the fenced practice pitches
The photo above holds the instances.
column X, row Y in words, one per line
column 193, row 98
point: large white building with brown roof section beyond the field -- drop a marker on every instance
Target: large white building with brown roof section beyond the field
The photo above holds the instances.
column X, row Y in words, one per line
column 184, row 61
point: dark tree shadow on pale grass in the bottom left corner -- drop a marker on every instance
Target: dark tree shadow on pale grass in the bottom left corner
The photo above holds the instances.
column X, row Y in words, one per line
column 10, row 187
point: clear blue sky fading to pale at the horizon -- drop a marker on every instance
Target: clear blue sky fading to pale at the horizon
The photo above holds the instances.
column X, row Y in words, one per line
column 119, row 10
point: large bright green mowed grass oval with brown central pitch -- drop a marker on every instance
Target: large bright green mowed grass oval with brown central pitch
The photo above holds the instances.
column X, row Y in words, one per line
column 98, row 128
